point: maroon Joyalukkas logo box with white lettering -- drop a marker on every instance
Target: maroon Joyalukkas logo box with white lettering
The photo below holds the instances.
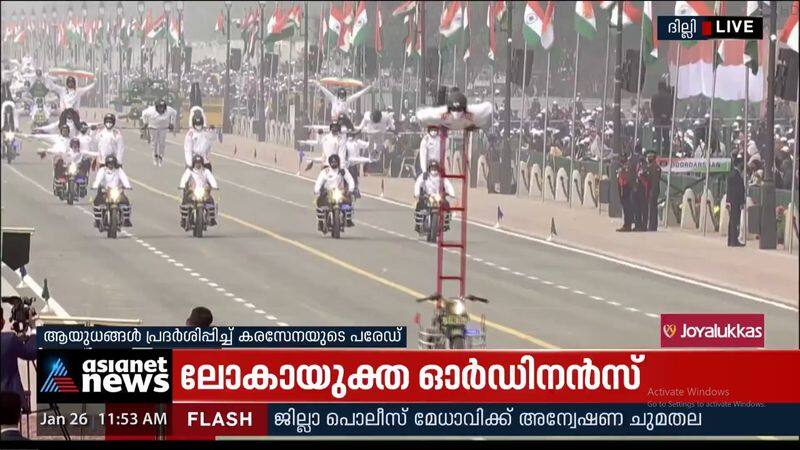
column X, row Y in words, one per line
column 712, row 330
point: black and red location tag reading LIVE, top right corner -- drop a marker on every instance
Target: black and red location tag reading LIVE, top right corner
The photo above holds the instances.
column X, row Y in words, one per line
column 700, row 28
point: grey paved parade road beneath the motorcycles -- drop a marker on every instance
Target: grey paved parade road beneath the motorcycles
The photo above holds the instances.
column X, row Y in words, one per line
column 267, row 265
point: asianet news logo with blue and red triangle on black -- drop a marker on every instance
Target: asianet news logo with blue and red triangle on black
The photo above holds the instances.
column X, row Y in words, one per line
column 104, row 376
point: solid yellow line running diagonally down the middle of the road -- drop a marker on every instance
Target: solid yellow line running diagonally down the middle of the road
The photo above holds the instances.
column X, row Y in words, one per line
column 352, row 268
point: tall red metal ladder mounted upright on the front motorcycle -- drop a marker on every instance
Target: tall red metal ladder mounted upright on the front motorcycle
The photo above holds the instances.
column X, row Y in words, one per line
column 461, row 244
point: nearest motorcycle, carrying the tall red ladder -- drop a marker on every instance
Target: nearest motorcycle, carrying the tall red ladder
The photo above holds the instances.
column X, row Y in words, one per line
column 449, row 325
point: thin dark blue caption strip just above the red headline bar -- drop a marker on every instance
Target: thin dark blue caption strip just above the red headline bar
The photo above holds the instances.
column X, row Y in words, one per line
column 79, row 337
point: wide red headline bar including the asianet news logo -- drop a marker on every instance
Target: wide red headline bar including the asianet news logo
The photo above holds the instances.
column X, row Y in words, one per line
column 417, row 376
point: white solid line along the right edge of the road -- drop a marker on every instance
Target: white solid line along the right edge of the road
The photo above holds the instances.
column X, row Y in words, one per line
column 593, row 253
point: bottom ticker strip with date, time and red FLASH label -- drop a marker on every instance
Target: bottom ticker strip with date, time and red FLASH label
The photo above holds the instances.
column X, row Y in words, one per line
column 209, row 421
